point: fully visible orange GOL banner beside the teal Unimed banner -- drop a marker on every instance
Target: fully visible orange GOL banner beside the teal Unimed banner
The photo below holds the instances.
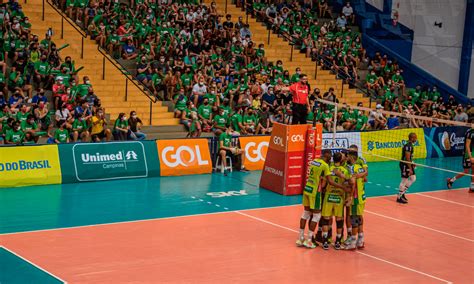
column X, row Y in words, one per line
column 184, row 157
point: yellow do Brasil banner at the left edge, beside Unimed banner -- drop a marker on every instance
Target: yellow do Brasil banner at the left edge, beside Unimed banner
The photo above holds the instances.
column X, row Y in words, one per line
column 29, row 165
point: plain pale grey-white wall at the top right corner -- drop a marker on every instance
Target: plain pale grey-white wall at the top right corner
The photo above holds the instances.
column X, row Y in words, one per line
column 437, row 50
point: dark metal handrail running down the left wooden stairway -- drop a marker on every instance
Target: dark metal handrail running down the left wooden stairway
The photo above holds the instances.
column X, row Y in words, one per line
column 128, row 77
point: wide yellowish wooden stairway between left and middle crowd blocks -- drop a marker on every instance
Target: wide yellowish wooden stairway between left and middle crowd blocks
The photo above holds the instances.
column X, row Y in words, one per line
column 111, row 91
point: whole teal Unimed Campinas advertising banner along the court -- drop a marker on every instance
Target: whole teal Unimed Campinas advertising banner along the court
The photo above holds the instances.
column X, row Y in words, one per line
column 108, row 161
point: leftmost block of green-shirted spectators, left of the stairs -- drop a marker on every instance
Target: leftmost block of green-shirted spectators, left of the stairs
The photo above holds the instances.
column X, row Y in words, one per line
column 41, row 94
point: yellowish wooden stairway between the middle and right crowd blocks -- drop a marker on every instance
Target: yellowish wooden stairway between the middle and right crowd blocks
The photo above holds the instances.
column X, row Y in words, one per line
column 278, row 49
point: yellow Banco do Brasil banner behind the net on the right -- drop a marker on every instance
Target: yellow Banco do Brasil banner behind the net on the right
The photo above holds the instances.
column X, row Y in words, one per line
column 389, row 143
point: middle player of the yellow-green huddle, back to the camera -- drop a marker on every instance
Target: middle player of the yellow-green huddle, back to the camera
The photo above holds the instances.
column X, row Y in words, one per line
column 333, row 203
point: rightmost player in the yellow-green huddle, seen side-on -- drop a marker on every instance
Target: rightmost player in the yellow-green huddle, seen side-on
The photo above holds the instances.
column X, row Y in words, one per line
column 356, row 200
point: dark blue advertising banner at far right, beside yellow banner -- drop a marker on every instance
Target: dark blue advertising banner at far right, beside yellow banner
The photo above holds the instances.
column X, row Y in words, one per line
column 444, row 141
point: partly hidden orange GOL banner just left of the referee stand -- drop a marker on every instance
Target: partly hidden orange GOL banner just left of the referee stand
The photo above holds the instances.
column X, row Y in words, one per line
column 255, row 148
